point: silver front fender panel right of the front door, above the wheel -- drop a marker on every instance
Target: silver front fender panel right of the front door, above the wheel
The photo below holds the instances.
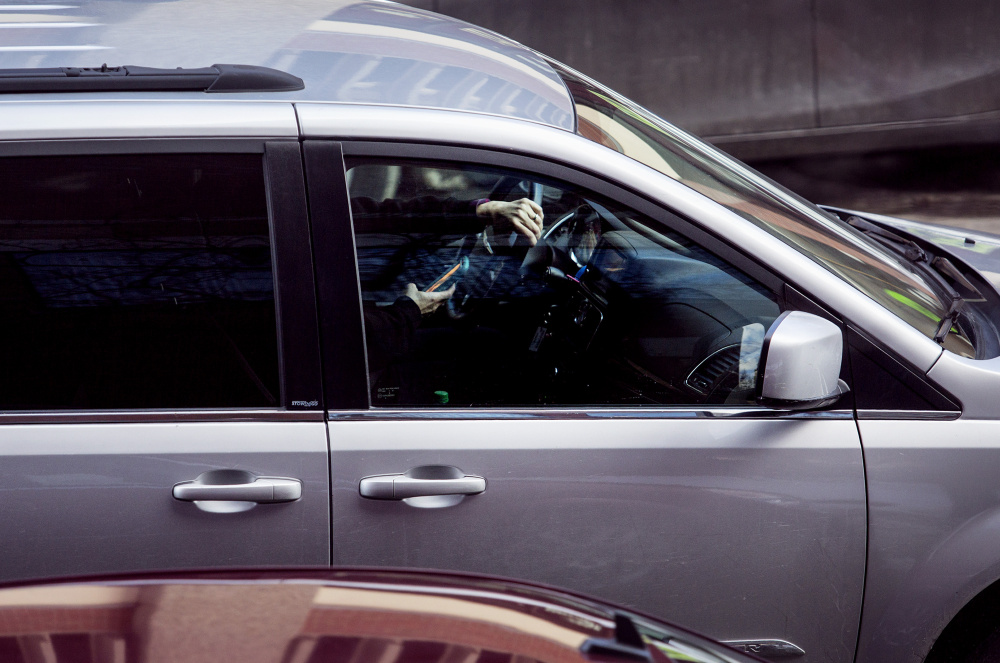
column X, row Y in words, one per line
column 934, row 530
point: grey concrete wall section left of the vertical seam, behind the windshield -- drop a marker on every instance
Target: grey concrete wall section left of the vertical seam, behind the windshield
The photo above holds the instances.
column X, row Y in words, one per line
column 713, row 66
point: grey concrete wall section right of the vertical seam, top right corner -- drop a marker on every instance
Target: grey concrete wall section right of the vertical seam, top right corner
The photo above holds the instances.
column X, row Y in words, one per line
column 892, row 60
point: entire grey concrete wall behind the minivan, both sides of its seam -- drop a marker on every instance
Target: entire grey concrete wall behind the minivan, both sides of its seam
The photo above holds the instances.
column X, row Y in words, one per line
column 723, row 67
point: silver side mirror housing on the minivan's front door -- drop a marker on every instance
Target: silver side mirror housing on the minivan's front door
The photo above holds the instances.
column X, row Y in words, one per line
column 800, row 363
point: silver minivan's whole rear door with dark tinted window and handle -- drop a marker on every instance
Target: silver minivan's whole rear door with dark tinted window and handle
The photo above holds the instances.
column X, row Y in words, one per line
column 158, row 409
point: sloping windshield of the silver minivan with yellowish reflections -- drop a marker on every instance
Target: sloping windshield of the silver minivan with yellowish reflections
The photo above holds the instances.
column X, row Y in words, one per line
column 608, row 118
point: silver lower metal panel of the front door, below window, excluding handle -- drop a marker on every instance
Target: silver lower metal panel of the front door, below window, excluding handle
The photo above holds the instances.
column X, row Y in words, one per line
column 743, row 528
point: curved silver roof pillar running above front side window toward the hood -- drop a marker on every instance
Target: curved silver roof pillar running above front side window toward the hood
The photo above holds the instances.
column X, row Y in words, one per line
column 455, row 128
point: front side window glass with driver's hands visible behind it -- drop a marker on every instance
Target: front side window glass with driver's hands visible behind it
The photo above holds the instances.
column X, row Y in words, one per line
column 485, row 287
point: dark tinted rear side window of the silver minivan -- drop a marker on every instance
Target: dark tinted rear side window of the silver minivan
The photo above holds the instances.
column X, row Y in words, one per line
column 136, row 281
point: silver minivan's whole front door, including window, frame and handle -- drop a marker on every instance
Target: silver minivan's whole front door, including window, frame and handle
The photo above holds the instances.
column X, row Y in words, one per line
column 586, row 402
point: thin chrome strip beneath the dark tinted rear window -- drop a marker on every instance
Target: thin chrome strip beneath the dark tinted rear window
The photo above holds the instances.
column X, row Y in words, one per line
column 158, row 416
